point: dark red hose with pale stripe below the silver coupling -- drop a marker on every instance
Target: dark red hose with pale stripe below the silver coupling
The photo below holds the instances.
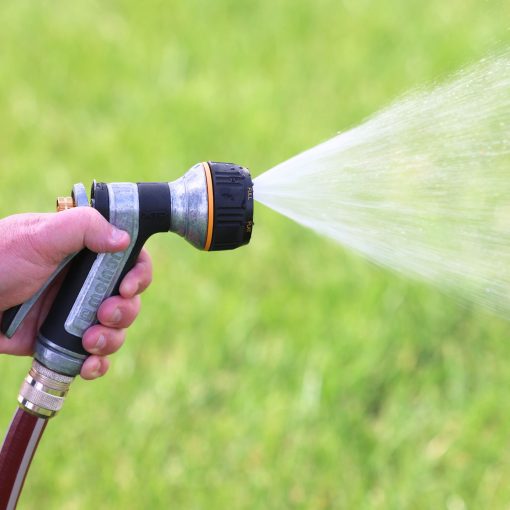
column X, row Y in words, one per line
column 16, row 455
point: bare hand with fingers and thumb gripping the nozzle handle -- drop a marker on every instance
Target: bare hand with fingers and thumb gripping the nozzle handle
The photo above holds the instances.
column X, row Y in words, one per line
column 32, row 246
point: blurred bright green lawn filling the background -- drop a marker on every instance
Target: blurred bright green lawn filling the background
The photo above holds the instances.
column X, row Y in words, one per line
column 288, row 374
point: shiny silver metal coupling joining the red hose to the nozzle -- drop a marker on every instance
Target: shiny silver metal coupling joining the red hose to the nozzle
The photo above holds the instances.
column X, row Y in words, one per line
column 43, row 391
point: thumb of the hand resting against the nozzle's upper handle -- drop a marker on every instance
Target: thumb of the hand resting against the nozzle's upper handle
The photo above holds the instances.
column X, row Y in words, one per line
column 72, row 230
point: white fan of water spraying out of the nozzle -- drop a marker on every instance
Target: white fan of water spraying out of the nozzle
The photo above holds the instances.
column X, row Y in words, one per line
column 422, row 187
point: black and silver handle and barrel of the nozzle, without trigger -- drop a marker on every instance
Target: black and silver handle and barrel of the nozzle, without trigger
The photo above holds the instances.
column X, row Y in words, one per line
column 142, row 210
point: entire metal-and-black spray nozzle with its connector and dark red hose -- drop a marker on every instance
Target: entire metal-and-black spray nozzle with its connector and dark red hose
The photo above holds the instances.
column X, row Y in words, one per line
column 211, row 206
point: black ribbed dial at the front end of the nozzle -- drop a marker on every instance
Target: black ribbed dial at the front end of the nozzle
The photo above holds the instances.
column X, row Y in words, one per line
column 233, row 206
